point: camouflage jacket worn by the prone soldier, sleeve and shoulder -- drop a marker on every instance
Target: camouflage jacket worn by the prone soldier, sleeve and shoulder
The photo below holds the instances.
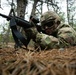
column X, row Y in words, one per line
column 64, row 36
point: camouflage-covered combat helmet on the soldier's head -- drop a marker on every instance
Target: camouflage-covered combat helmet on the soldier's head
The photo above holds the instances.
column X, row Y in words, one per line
column 49, row 16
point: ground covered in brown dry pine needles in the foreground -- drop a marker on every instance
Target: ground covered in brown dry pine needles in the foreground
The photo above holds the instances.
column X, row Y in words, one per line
column 48, row 62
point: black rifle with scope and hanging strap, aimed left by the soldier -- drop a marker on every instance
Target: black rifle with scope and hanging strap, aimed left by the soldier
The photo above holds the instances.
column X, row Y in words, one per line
column 17, row 21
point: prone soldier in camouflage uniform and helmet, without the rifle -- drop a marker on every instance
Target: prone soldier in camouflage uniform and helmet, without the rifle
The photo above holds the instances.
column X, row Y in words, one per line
column 56, row 34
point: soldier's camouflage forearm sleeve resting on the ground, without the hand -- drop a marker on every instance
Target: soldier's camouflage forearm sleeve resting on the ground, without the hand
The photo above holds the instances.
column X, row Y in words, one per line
column 46, row 41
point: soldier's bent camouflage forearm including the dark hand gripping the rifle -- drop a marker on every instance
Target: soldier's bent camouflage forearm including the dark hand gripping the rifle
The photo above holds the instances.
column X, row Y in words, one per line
column 42, row 40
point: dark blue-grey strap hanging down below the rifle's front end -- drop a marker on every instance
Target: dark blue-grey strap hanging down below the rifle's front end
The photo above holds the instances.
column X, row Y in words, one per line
column 18, row 37
